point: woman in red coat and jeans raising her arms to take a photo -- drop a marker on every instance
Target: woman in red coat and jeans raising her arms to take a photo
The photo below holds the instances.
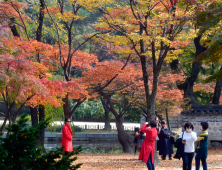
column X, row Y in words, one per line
column 148, row 147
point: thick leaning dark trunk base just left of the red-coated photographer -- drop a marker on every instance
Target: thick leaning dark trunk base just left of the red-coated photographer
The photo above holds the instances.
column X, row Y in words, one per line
column 124, row 138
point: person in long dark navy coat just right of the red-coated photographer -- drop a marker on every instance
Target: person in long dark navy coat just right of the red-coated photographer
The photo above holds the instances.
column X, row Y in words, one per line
column 165, row 146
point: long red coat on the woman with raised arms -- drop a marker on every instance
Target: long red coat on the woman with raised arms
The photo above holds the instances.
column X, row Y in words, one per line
column 148, row 145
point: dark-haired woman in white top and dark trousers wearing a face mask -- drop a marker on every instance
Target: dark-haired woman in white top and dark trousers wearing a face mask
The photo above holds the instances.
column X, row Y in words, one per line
column 189, row 137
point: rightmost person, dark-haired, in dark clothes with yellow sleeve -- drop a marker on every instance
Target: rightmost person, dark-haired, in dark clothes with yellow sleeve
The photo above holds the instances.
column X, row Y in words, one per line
column 202, row 147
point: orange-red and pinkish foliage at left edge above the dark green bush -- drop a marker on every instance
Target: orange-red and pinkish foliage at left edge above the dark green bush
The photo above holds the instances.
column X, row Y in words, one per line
column 25, row 69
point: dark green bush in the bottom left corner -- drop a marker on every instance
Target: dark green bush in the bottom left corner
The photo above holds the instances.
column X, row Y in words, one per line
column 18, row 151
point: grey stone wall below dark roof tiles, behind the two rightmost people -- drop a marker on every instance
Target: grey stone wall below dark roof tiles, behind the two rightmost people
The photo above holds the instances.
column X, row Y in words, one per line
column 215, row 125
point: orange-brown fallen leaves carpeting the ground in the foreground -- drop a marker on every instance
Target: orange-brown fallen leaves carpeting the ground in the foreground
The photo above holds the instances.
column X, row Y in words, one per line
column 130, row 162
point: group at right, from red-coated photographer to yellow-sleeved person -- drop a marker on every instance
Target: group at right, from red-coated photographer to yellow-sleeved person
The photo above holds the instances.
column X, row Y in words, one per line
column 159, row 131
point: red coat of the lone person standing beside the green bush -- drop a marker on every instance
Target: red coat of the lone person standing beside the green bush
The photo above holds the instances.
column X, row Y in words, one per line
column 67, row 138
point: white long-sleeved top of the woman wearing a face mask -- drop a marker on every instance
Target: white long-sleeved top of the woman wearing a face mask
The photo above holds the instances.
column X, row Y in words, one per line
column 190, row 139
